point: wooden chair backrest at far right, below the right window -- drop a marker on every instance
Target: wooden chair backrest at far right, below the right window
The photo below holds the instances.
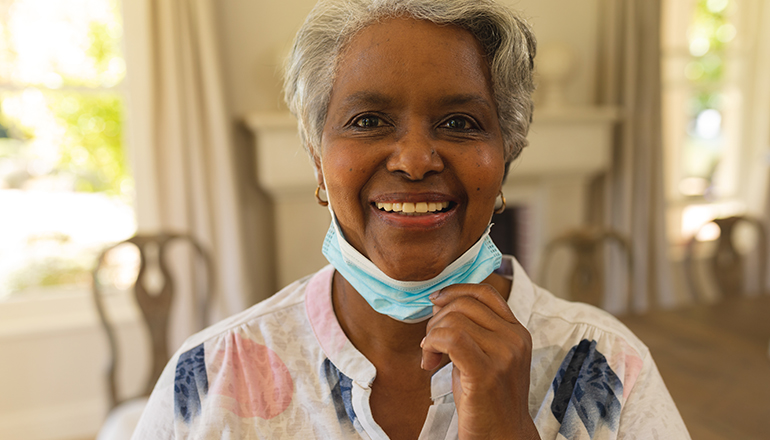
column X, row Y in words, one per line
column 726, row 264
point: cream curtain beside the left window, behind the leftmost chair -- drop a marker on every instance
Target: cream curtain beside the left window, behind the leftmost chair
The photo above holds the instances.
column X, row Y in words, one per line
column 185, row 173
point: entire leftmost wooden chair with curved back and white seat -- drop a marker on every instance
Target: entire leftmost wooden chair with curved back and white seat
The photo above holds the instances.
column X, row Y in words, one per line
column 155, row 307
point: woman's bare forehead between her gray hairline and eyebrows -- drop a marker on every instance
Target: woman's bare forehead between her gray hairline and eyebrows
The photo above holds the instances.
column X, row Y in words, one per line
column 403, row 56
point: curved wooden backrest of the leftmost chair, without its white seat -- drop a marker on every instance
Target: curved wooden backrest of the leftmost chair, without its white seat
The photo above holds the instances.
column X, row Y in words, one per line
column 155, row 307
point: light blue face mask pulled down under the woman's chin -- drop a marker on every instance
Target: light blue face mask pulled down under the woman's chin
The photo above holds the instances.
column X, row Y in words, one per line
column 406, row 301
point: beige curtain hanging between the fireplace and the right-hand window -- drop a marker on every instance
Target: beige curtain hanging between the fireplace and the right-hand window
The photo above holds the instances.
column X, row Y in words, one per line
column 634, row 192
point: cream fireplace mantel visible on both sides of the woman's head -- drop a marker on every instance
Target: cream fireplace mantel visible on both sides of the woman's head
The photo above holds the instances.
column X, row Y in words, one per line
column 566, row 149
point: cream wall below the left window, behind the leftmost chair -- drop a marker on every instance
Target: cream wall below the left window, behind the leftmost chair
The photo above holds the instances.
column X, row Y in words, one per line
column 53, row 356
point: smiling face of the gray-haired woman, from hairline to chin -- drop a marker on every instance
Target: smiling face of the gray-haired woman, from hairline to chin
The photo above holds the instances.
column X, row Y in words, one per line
column 412, row 126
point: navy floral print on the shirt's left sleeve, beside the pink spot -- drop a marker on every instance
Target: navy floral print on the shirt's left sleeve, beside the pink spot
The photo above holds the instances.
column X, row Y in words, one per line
column 190, row 384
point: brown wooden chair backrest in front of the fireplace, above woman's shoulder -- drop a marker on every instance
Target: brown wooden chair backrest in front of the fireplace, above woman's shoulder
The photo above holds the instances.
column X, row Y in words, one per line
column 586, row 276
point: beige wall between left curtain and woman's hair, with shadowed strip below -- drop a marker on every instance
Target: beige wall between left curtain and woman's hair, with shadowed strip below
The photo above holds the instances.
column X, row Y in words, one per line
column 253, row 35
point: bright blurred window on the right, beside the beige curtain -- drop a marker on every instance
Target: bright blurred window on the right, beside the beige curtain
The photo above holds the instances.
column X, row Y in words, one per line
column 706, row 59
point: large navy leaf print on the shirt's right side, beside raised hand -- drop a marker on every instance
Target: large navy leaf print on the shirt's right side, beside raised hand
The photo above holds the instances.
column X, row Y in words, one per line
column 586, row 390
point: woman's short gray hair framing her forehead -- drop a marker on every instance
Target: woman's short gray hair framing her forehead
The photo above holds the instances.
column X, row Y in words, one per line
column 507, row 41
